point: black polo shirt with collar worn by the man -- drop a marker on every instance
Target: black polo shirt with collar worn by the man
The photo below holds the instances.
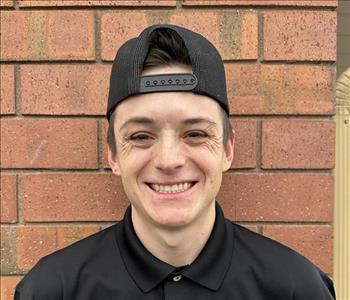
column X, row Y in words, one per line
column 235, row 263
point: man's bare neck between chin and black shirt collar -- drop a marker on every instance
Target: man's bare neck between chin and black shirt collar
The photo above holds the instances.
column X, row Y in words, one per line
column 175, row 246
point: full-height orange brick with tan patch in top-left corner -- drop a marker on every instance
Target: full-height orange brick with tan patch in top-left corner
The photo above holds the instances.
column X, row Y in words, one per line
column 43, row 35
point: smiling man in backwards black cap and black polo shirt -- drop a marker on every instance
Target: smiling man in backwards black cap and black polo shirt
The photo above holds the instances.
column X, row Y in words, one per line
column 170, row 140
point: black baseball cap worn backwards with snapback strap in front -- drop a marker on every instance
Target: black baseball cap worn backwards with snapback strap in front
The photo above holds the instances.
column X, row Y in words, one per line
column 207, row 77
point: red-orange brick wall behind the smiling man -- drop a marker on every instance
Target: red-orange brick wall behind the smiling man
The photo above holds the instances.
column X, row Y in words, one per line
column 56, row 186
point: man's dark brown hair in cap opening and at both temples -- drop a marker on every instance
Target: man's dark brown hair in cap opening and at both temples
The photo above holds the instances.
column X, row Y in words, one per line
column 166, row 48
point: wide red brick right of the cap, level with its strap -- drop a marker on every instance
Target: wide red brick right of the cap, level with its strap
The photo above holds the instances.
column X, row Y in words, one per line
column 280, row 89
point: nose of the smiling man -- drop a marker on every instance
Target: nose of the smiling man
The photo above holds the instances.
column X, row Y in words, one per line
column 169, row 156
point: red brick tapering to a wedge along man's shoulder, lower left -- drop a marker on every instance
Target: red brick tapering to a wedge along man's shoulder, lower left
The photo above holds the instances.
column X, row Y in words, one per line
column 33, row 243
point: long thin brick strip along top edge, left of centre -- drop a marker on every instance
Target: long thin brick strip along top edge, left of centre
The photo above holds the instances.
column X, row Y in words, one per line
column 40, row 3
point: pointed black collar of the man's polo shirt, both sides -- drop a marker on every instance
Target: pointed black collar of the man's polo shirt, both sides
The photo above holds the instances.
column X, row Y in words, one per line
column 208, row 269
